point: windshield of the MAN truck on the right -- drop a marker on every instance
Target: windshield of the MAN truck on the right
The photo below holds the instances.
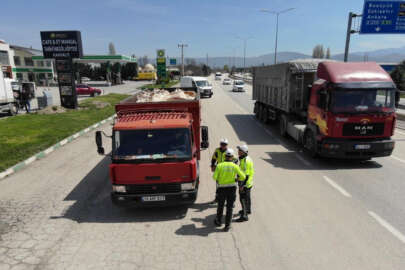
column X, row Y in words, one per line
column 363, row 100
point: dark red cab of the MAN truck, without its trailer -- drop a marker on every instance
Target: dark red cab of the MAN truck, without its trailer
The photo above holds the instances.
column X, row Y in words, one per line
column 351, row 111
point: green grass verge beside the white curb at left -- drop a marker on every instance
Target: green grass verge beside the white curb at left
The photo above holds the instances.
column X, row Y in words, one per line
column 25, row 135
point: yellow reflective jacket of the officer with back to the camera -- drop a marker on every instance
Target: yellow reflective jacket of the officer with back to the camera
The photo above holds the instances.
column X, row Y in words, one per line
column 226, row 172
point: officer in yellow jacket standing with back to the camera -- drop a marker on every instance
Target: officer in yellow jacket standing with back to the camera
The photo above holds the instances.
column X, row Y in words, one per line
column 226, row 174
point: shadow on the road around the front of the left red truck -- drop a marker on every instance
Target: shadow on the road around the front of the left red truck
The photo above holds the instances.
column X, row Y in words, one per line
column 92, row 202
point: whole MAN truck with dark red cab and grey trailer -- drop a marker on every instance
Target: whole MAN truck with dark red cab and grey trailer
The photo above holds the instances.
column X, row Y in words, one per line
column 335, row 109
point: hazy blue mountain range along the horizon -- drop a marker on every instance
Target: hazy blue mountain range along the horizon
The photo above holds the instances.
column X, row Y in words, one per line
column 393, row 55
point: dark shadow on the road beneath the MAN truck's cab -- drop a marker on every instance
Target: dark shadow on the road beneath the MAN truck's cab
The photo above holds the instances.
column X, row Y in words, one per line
column 289, row 161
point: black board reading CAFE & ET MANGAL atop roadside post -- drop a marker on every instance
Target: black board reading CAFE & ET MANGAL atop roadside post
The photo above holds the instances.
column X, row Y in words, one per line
column 62, row 44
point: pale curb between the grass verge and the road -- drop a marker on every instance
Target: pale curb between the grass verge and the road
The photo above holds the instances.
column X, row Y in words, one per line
column 44, row 153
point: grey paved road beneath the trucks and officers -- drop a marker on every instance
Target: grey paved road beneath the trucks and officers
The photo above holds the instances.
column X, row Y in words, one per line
column 307, row 214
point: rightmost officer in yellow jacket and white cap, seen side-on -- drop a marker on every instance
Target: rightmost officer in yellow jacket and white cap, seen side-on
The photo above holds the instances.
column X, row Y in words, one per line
column 246, row 165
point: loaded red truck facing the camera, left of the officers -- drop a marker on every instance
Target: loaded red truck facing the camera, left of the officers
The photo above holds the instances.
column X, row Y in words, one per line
column 156, row 151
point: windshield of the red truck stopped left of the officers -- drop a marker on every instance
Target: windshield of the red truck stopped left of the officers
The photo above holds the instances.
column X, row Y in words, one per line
column 152, row 144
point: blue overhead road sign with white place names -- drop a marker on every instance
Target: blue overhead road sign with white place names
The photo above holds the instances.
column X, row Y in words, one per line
column 383, row 17
